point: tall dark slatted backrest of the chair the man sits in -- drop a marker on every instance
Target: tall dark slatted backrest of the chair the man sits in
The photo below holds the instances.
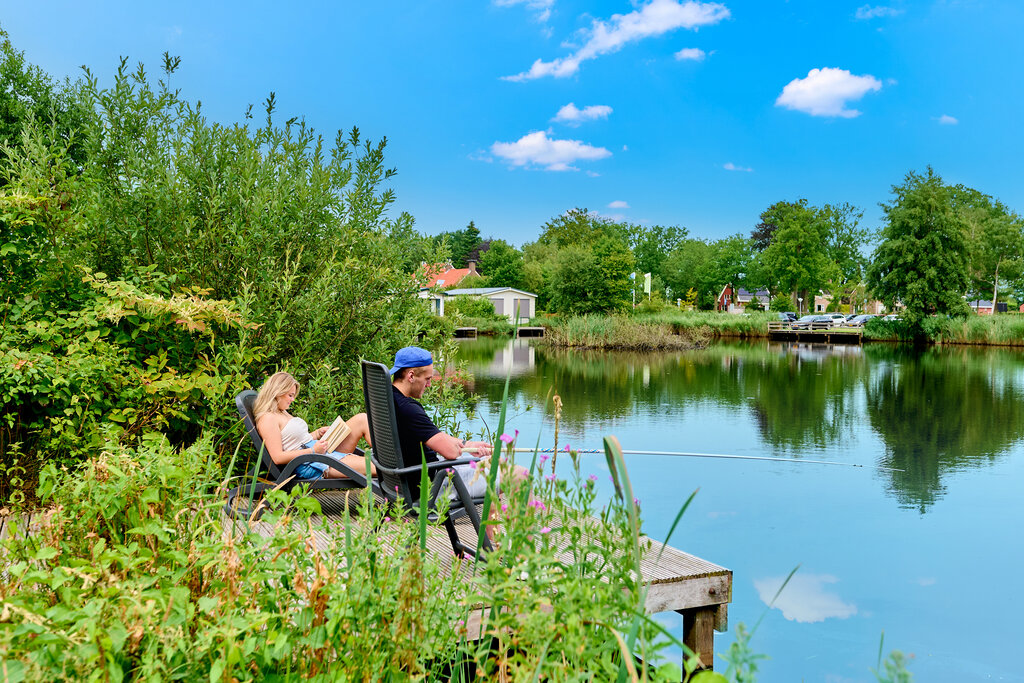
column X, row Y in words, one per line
column 379, row 400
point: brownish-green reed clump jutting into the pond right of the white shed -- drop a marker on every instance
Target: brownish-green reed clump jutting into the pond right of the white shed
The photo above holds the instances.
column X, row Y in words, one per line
column 621, row 332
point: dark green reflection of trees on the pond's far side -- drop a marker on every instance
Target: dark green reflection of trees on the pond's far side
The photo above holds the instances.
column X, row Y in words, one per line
column 933, row 411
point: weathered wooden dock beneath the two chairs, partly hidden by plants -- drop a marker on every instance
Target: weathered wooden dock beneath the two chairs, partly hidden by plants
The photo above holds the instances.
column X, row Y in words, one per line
column 676, row 581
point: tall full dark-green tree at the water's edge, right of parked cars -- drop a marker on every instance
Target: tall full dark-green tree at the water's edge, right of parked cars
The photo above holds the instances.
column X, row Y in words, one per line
column 923, row 259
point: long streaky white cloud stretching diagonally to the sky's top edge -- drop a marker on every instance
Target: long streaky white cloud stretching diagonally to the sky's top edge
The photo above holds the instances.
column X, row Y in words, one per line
column 655, row 19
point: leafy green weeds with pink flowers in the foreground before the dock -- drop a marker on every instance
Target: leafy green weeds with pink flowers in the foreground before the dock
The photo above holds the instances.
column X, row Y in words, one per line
column 132, row 575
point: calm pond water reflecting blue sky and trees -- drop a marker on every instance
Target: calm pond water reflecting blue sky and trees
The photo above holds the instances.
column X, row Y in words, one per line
column 933, row 556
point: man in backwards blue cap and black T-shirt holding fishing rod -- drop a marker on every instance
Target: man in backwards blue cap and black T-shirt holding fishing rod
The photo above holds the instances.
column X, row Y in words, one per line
column 412, row 374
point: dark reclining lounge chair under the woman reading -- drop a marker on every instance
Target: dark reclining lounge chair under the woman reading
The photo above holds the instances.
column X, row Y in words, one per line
column 244, row 500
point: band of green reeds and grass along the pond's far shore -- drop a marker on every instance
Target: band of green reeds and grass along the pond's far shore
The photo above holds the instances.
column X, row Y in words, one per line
column 689, row 330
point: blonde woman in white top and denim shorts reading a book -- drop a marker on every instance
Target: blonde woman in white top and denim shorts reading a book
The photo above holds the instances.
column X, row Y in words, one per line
column 287, row 437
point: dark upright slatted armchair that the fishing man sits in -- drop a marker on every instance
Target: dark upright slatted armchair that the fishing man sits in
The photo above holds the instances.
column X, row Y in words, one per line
column 398, row 482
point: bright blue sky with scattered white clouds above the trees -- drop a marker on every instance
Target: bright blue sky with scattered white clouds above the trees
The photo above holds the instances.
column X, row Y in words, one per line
column 692, row 114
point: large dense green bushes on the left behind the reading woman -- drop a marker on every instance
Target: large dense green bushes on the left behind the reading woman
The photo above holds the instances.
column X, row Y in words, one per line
column 227, row 252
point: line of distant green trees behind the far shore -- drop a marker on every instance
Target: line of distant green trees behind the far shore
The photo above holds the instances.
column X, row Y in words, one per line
column 940, row 247
